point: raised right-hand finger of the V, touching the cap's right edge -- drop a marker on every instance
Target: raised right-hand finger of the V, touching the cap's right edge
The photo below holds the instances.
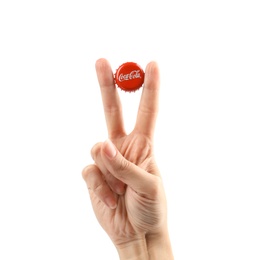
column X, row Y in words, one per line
column 149, row 103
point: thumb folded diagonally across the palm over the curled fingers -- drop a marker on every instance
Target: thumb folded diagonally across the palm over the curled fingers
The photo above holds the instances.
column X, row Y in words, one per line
column 137, row 178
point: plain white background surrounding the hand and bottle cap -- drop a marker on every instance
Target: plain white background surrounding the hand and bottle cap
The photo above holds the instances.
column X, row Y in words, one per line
column 207, row 137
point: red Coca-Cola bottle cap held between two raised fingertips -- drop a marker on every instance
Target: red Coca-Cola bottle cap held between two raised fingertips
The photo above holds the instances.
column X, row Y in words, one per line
column 129, row 76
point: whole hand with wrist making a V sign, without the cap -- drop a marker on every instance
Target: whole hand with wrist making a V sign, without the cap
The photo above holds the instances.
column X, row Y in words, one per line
column 124, row 182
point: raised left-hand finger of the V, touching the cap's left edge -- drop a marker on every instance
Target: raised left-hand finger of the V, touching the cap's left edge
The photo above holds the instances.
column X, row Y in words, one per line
column 111, row 101
